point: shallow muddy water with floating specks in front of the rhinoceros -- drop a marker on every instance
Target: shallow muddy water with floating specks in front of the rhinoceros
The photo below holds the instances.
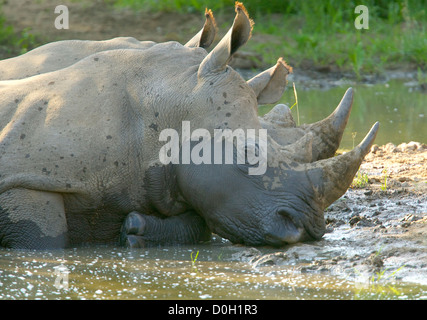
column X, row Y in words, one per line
column 219, row 272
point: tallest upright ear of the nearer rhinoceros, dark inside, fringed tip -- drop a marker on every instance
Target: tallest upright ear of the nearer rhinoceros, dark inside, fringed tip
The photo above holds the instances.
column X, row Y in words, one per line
column 240, row 32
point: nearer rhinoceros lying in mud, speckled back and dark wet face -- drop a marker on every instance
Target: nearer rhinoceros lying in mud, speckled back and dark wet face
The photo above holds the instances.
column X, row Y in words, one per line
column 80, row 153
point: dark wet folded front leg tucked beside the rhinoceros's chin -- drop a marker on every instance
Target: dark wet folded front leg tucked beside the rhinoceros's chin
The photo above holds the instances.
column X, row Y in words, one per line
column 140, row 230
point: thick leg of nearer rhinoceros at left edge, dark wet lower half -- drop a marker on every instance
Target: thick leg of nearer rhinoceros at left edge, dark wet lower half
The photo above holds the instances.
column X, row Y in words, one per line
column 31, row 219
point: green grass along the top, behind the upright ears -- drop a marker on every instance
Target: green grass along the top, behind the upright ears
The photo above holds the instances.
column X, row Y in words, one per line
column 322, row 33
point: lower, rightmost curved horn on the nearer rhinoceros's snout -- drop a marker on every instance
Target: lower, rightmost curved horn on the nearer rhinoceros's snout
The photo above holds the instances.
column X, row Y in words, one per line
column 332, row 177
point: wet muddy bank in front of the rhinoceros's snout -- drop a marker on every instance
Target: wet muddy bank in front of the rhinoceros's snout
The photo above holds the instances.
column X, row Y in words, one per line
column 375, row 230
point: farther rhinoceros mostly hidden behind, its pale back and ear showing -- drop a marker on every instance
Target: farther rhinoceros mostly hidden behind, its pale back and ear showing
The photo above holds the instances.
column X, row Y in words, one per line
column 57, row 55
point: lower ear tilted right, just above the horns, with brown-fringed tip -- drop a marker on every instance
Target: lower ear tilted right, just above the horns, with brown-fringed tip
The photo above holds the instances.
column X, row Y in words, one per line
column 270, row 84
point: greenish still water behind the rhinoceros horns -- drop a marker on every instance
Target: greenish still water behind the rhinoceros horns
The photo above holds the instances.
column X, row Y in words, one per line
column 401, row 111
